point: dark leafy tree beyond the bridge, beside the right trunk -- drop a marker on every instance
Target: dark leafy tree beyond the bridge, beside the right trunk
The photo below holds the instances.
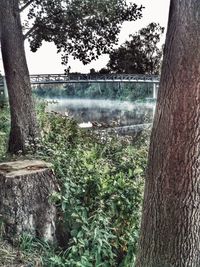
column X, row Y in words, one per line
column 141, row 54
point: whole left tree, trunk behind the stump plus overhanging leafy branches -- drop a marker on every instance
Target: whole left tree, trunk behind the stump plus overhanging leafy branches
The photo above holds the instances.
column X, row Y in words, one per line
column 83, row 28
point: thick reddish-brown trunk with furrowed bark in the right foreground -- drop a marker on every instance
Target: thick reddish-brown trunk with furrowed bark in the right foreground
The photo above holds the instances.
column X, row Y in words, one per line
column 170, row 230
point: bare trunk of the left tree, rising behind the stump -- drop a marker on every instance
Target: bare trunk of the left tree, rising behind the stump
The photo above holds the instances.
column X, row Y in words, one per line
column 23, row 119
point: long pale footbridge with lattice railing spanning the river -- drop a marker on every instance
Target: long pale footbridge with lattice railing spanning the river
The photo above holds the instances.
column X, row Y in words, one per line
column 88, row 78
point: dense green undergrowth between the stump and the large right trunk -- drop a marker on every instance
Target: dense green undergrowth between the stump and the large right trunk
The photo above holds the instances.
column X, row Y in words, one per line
column 99, row 203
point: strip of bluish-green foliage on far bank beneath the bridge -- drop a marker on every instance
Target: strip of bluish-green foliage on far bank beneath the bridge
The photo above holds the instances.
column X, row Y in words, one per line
column 118, row 91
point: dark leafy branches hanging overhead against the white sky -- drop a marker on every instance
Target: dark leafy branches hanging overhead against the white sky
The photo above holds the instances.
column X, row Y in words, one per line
column 83, row 28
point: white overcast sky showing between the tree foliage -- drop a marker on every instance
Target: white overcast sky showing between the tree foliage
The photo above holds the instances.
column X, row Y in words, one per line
column 46, row 60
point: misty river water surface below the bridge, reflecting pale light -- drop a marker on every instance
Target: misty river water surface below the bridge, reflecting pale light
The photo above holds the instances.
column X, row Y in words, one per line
column 110, row 112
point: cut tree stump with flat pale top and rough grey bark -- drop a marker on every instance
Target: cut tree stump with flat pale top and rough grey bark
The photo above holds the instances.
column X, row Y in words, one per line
column 25, row 187
